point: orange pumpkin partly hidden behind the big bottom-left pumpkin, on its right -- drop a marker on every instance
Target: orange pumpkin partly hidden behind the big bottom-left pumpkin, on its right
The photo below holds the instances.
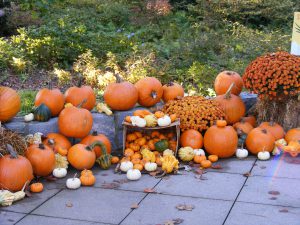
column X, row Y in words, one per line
column 42, row 159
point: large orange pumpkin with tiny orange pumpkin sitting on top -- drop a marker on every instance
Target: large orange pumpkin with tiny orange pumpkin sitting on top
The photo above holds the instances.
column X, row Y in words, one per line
column 221, row 140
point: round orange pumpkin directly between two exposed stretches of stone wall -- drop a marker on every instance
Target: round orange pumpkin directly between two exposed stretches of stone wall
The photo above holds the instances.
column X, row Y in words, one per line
column 75, row 122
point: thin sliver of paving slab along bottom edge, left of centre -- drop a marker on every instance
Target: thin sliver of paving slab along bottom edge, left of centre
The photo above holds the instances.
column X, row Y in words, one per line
column 42, row 220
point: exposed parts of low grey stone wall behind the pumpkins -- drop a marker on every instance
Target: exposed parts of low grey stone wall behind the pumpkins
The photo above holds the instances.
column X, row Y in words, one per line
column 111, row 126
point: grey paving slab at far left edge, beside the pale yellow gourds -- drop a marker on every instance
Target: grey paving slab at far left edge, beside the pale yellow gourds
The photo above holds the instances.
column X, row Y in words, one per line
column 28, row 204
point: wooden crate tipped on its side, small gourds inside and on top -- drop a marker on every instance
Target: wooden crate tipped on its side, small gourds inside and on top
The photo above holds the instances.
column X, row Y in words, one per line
column 175, row 127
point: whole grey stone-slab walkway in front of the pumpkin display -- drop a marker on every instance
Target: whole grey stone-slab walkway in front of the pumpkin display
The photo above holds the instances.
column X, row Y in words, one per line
column 243, row 192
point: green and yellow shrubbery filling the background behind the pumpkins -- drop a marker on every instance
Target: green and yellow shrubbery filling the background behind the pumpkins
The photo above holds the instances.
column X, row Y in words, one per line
column 189, row 41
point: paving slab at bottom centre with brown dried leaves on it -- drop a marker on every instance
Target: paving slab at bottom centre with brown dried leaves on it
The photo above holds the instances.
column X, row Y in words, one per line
column 157, row 209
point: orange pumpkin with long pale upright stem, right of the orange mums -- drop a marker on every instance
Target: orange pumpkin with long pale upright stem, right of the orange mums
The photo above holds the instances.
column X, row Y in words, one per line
column 232, row 105
